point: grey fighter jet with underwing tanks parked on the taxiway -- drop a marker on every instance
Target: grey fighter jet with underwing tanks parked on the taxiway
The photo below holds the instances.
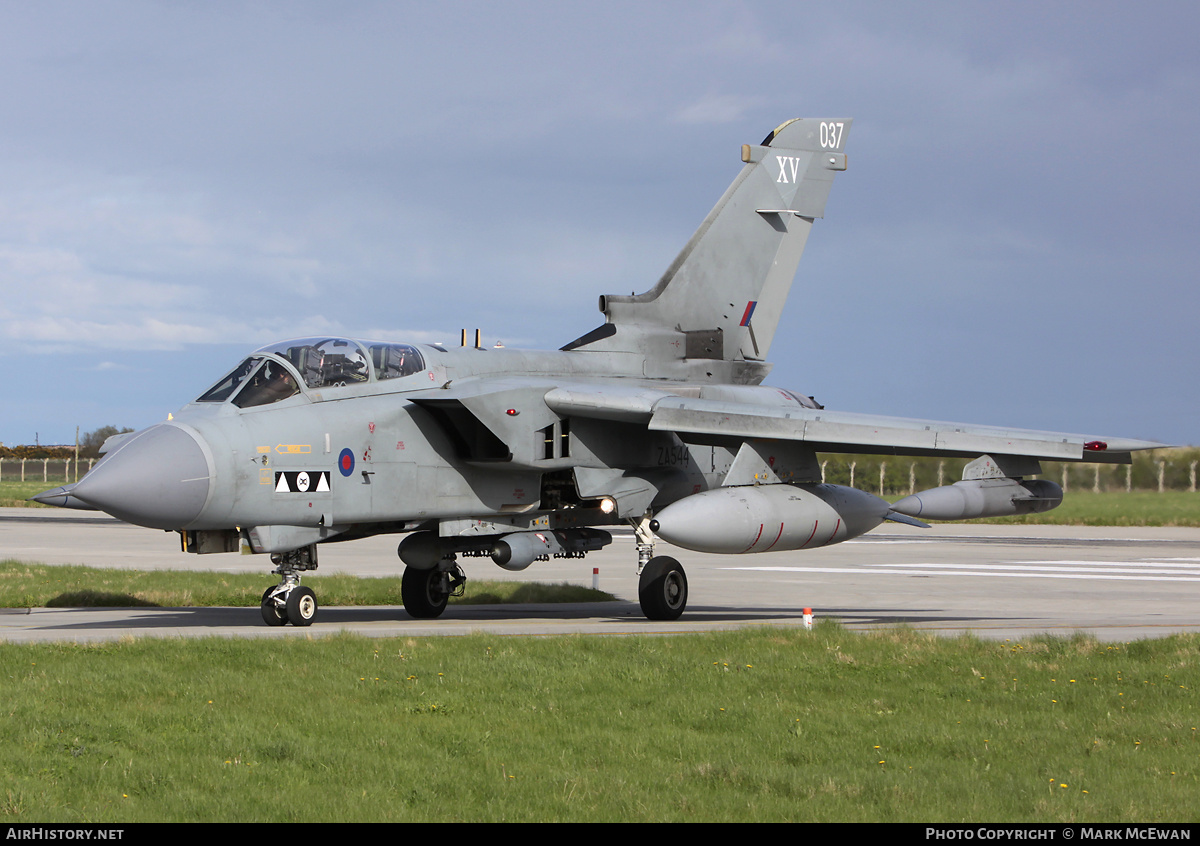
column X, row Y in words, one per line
column 657, row 418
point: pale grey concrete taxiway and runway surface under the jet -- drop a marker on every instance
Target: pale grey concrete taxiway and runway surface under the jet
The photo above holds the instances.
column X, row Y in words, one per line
column 995, row 581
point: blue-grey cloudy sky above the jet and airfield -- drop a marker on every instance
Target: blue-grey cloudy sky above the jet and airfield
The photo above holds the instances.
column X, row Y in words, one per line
column 1013, row 243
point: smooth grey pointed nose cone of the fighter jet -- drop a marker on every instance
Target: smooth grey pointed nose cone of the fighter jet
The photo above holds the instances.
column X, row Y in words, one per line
column 159, row 478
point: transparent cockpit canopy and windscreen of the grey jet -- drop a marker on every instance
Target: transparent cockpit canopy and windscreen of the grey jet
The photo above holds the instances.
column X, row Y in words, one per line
column 320, row 363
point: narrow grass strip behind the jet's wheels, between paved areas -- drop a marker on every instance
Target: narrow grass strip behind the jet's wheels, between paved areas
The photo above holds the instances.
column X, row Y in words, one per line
column 37, row 586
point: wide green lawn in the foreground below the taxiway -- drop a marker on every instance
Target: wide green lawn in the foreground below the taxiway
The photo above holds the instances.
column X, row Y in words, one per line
column 759, row 725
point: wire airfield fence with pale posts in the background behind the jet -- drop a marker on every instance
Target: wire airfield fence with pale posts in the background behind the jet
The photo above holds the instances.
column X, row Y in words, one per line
column 1174, row 470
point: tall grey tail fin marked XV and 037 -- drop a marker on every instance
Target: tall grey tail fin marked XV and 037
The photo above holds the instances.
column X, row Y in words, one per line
column 727, row 289
